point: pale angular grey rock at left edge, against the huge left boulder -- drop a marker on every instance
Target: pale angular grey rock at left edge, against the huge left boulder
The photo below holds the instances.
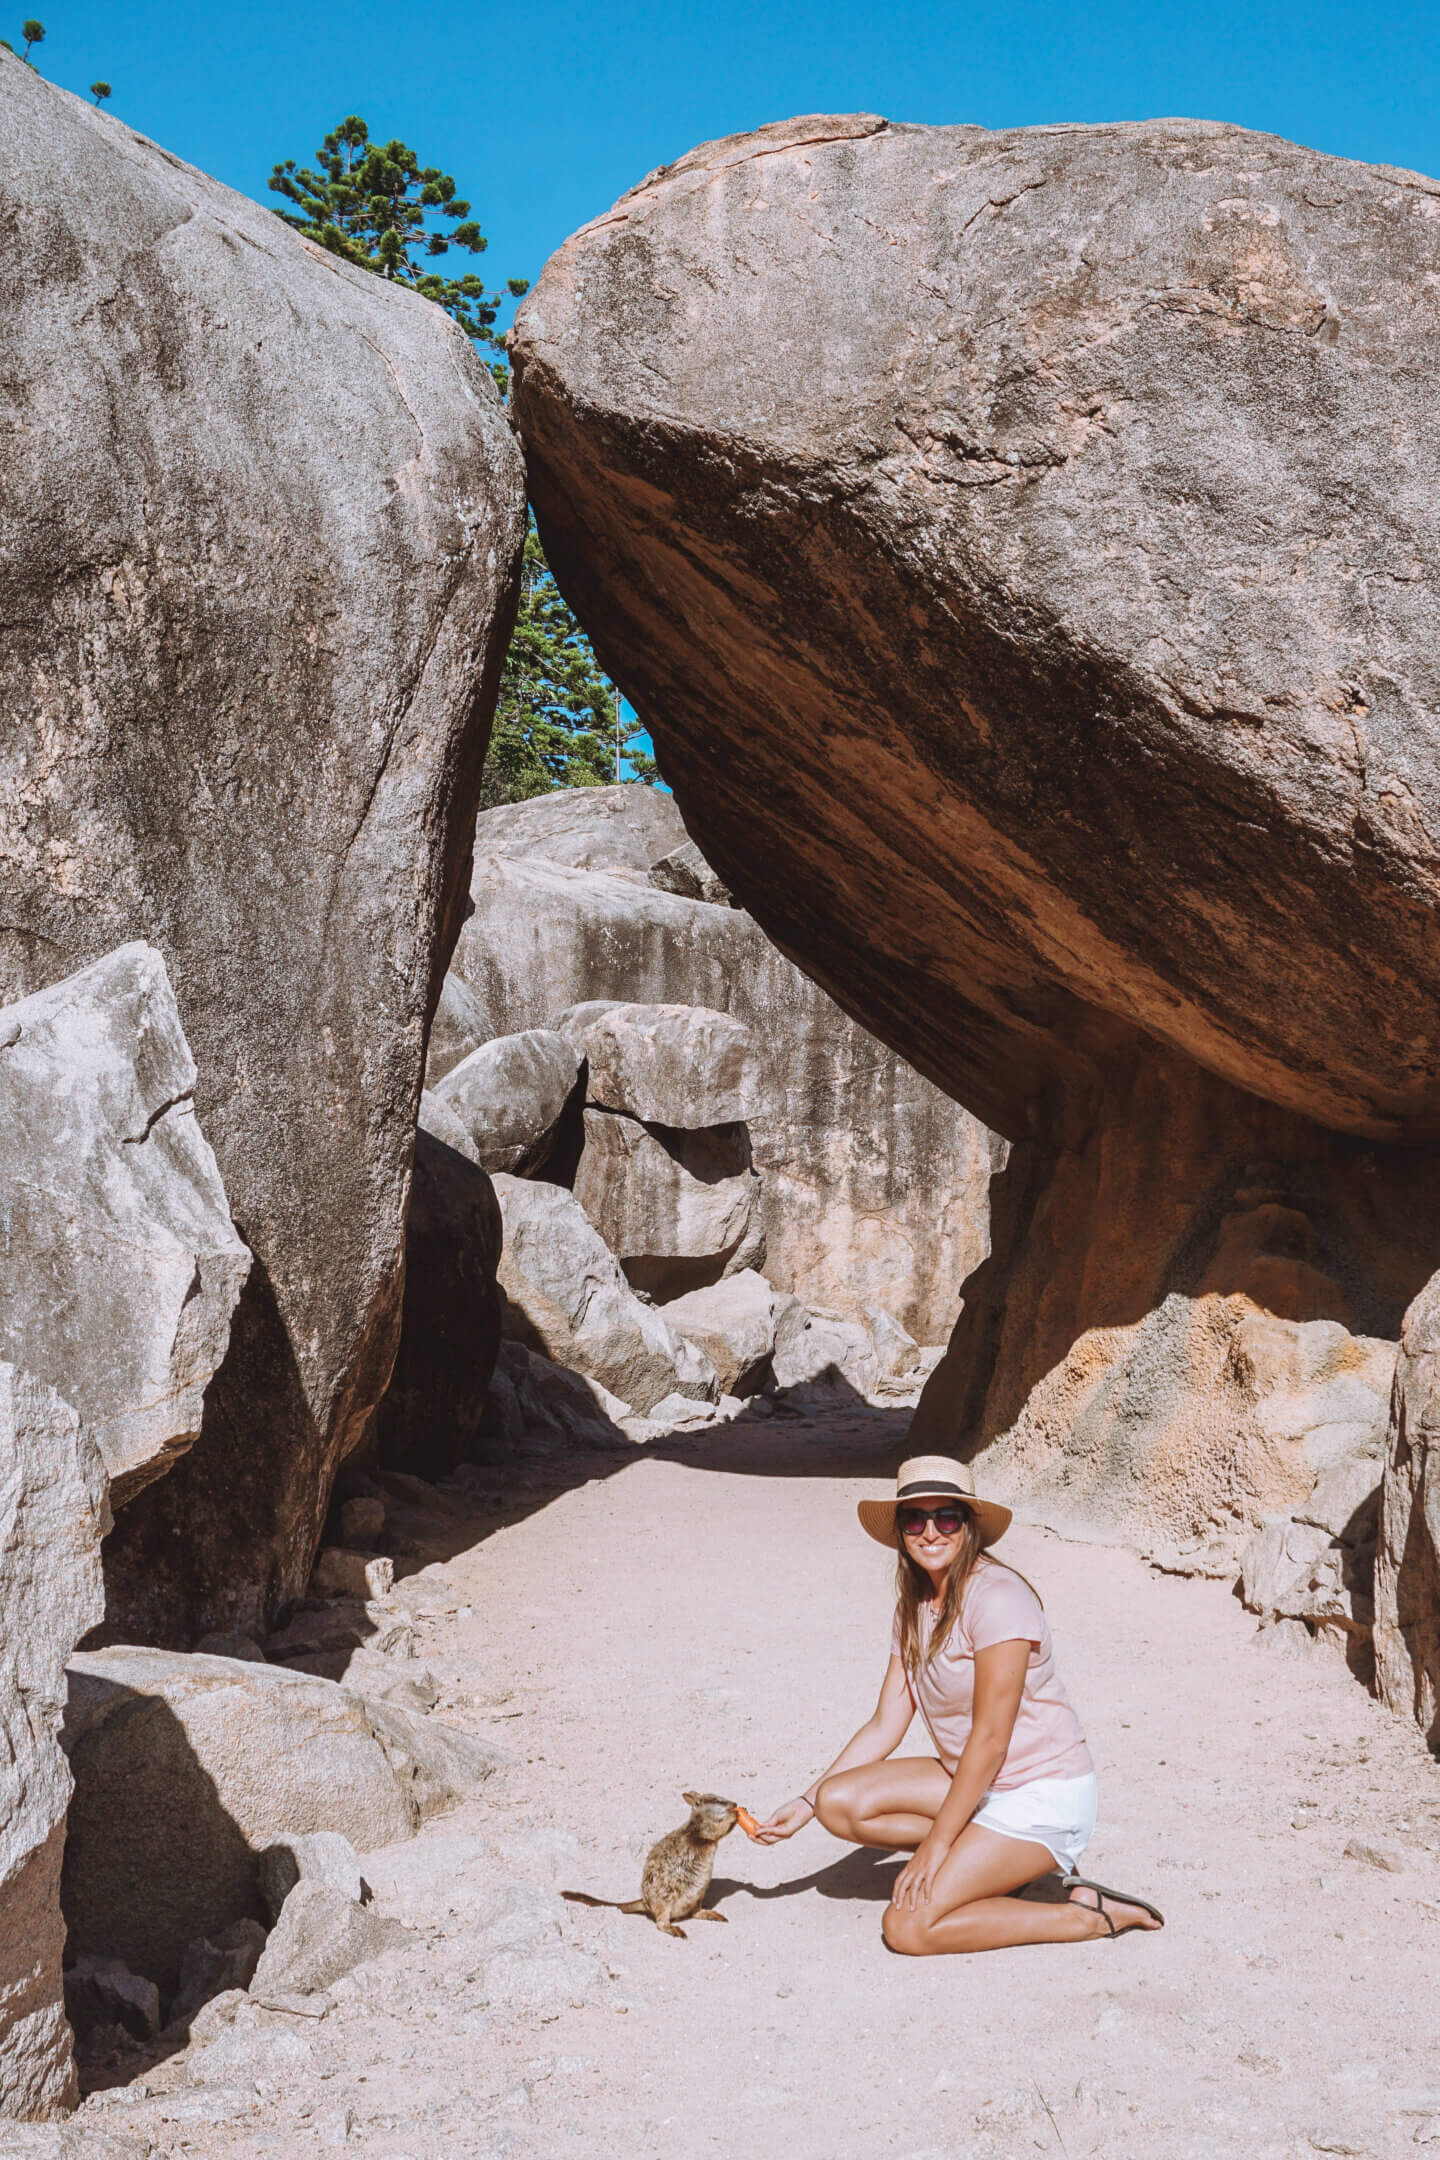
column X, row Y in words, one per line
column 124, row 1267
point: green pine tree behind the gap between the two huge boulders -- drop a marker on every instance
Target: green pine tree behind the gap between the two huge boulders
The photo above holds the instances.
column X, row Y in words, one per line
column 558, row 720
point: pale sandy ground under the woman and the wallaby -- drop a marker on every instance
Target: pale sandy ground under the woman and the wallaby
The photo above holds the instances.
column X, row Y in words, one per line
column 711, row 1617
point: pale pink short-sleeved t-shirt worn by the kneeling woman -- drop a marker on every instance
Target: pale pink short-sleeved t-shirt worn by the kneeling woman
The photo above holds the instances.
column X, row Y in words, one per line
column 999, row 1608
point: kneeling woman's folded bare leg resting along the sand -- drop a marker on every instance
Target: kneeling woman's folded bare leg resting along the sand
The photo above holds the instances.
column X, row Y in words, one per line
column 973, row 1906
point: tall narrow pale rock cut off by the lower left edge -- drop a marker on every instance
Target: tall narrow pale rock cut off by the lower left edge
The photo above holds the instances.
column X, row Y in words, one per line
column 51, row 1595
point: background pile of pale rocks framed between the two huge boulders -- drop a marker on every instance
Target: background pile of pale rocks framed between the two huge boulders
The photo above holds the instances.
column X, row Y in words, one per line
column 651, row 1157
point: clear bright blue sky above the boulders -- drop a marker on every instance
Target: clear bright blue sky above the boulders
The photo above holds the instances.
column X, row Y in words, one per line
column 545, row 111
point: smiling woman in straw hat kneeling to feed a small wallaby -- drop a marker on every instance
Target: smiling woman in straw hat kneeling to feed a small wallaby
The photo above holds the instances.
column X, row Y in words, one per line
column 1014, row 1792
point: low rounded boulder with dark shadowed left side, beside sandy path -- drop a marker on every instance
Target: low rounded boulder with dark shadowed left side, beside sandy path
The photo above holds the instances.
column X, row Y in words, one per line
column 187, row 1770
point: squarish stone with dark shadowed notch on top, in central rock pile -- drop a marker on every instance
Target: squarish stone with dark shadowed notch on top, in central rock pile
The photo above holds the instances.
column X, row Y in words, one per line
column 677, row 1209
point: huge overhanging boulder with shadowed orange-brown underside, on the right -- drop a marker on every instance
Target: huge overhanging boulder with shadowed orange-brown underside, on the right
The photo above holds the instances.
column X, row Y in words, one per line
column 1022, row 554
